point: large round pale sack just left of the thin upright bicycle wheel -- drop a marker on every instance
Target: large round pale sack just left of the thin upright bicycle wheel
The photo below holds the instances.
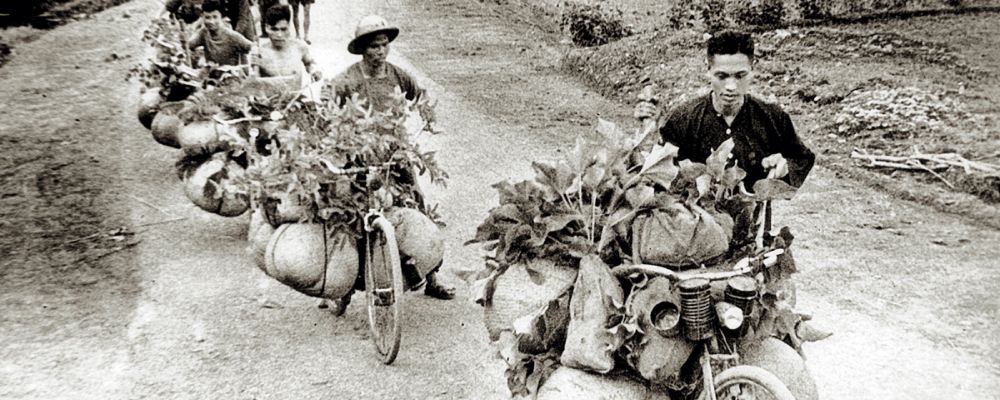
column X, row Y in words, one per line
column 311, row 260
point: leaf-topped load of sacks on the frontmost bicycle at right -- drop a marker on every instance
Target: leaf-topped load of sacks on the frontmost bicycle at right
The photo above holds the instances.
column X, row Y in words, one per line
column 552, row 303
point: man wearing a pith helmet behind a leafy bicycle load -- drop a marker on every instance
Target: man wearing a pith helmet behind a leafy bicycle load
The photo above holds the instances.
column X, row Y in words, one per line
column 373, row 78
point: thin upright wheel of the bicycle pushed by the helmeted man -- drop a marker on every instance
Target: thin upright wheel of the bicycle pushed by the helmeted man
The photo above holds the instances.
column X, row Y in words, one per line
column 384, row 289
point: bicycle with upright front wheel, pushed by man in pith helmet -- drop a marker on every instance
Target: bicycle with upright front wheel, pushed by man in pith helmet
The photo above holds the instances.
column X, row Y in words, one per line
column 382, row 269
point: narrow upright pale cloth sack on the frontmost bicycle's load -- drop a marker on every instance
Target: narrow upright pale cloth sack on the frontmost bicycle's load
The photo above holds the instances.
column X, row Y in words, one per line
column 590, row 345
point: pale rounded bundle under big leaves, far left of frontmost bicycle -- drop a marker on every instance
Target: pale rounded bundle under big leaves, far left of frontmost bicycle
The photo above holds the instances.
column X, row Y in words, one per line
column 517, row 295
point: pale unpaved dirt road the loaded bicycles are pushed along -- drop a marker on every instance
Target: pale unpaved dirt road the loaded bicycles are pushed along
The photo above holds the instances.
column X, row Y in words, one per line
column 909, row 292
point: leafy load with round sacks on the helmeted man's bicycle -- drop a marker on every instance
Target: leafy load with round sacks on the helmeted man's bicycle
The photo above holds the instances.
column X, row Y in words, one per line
column 308, row 205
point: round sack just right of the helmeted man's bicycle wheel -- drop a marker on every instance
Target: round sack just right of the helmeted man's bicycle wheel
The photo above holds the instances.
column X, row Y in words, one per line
column 420, row 240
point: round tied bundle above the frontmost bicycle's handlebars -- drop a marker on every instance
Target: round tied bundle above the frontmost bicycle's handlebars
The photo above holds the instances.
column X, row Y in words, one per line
column 681, row 235
